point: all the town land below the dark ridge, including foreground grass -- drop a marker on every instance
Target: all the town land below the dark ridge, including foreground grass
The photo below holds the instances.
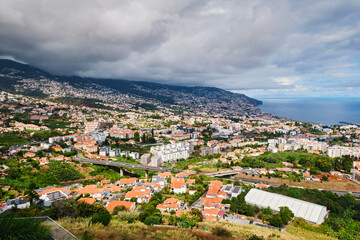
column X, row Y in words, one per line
column 133, row 169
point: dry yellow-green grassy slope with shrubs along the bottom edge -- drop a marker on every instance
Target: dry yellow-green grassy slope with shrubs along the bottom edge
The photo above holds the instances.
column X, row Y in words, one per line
column 120, row 229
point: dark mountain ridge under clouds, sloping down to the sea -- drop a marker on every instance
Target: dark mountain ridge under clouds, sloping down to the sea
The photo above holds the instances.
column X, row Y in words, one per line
column 15, row 76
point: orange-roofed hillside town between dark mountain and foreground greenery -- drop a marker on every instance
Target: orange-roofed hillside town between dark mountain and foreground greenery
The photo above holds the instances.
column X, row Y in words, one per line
column 191, row 163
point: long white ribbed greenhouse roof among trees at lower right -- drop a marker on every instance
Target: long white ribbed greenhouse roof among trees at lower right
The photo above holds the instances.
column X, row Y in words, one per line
column 309, row 211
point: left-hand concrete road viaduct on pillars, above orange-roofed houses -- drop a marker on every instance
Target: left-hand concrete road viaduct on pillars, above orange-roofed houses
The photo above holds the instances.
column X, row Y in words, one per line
column 126, row 165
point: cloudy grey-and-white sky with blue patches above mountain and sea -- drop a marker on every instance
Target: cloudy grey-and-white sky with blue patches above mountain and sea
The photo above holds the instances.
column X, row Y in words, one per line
column 261, row 48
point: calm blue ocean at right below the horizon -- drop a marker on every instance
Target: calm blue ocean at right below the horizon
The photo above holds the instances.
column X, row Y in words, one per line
column 325, row 111
